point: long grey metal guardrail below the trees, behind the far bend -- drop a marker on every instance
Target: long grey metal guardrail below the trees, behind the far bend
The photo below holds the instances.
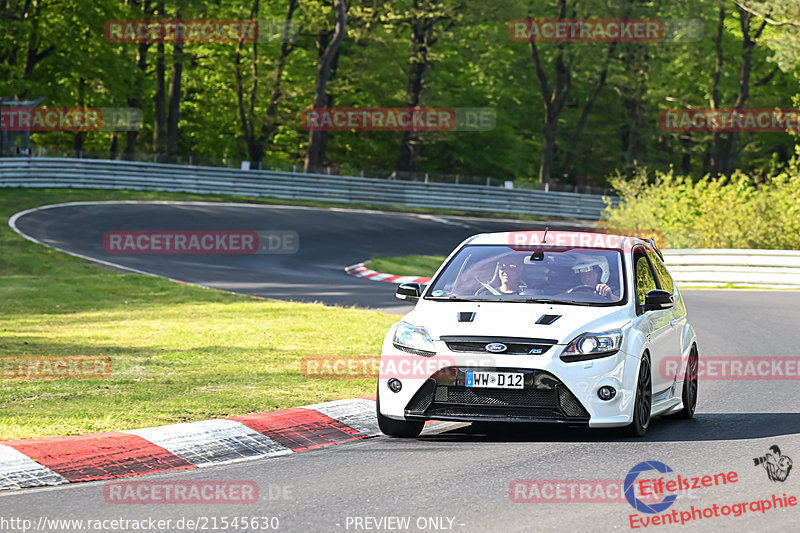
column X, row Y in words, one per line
column 111, row 174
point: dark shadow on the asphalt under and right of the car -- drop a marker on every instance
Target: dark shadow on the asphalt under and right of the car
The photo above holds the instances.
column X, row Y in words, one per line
column 713, row 426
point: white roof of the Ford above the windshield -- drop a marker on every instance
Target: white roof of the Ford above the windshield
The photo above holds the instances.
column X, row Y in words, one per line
column 587, row 239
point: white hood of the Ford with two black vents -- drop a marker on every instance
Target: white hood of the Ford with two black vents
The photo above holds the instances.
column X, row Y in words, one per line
column 507, row 319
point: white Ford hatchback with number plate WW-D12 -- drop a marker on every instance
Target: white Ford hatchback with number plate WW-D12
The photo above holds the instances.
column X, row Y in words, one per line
column 566, row 327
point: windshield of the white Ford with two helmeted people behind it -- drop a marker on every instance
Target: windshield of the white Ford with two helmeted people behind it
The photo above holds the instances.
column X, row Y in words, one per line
column 570, row 275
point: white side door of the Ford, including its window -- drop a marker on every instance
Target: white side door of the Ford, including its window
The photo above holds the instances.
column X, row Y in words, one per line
column 654, row 324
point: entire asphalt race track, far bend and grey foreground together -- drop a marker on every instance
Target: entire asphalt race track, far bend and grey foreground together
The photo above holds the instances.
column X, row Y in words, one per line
column 458, row 471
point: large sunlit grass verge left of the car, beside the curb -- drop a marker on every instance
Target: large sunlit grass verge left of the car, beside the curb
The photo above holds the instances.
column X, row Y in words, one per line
column 179, row 353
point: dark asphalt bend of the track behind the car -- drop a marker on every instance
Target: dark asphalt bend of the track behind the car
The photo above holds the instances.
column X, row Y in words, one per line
column 329, row 240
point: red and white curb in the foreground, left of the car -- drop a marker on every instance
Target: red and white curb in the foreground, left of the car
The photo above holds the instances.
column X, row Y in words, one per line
column 96, row 456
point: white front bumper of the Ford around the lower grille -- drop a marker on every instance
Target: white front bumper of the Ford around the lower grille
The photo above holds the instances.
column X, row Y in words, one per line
column 554, row 391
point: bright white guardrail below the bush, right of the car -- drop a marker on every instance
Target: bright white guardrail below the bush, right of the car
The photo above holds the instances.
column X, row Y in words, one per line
column 765, row 268
